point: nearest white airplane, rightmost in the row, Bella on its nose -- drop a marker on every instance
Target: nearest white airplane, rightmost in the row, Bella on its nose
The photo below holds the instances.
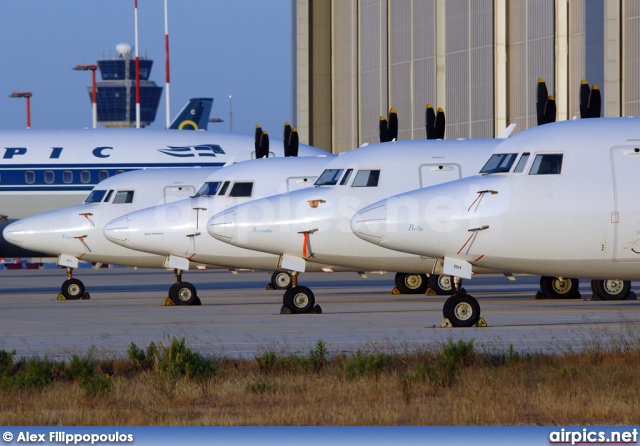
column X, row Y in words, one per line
column 555, row 200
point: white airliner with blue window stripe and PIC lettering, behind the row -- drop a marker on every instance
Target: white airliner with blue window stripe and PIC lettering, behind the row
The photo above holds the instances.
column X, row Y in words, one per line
column 45, row 170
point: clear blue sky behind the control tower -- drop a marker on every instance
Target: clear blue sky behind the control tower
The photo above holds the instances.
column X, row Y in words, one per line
column 217, row 48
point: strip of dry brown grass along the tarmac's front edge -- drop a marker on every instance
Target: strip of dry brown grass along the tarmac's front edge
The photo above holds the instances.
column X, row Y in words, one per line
column 451, row 384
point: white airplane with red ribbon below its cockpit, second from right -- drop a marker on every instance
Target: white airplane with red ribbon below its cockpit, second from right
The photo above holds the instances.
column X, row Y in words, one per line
column 308, row 226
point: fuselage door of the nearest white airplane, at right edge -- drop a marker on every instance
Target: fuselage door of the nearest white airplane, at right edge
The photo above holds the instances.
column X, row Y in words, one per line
column 625, row 162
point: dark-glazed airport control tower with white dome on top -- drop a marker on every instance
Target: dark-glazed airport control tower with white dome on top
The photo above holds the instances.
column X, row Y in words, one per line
column 116, row 92
